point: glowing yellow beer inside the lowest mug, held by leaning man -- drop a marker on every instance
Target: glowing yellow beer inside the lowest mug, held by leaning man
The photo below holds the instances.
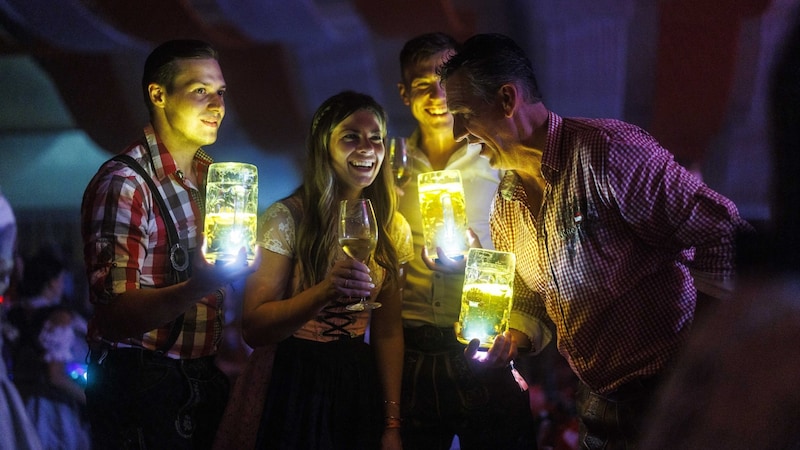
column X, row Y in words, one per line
column 484, row 312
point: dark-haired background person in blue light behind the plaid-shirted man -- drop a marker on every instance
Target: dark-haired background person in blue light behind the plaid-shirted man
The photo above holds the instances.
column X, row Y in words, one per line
column 54, row 400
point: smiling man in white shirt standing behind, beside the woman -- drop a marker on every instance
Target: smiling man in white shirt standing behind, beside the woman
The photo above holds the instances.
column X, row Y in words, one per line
column 442, row 395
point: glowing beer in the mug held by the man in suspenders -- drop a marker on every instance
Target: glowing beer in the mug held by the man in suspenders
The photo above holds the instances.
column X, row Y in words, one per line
column 228, row 232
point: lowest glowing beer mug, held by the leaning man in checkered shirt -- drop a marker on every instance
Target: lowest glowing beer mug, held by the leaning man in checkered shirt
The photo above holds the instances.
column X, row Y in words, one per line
column 487, row 295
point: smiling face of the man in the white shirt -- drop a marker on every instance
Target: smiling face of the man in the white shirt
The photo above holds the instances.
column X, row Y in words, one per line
column 422, row 92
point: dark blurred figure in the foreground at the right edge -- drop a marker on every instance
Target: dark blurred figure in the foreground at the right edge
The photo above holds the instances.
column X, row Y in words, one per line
column 735, row 387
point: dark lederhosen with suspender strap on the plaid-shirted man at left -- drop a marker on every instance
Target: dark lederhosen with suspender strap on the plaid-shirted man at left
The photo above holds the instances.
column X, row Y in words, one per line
column 140, row 398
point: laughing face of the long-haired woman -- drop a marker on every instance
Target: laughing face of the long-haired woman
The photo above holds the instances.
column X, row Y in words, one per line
column 357, row 151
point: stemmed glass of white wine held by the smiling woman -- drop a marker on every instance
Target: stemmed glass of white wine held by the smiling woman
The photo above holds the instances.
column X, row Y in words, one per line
column 358, row 236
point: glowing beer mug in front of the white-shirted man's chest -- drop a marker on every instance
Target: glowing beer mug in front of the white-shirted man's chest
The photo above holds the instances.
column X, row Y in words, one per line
column 444, row 212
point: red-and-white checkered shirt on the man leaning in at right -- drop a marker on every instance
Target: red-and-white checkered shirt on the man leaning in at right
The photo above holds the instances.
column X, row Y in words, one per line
column 609, row 255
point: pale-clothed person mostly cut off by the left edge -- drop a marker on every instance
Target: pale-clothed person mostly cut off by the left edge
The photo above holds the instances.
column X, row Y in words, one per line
column 16, row 430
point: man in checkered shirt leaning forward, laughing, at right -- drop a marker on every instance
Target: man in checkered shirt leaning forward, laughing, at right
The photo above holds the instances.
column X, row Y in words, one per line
column 616, row 244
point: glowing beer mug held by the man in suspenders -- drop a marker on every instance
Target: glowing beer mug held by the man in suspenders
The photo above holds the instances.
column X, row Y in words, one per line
column 231, row 211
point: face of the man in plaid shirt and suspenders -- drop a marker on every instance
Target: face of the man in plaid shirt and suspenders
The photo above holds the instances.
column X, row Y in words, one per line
column 188, row 114
